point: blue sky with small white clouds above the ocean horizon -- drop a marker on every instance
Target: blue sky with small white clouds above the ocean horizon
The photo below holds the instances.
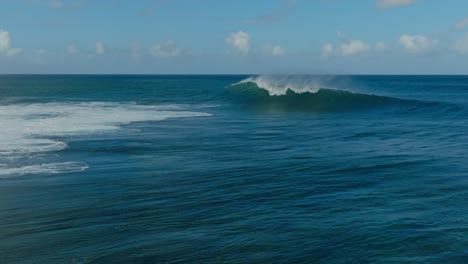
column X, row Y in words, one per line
column 242, row 36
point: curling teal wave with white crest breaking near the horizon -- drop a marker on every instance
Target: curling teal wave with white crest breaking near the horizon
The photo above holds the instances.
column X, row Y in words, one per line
column 311, row 94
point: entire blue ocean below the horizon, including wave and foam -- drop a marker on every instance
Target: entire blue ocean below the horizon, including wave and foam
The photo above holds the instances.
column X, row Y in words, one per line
column 233, row 169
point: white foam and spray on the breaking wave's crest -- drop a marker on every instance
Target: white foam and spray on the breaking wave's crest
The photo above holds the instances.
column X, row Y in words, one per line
column 280, row 84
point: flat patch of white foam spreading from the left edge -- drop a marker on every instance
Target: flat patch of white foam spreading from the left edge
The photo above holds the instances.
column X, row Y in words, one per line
column 26, row 129
